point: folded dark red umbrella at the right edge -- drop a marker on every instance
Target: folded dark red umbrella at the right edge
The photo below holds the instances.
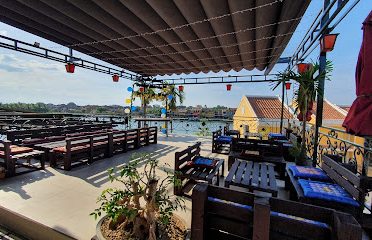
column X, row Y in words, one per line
column 359, row 119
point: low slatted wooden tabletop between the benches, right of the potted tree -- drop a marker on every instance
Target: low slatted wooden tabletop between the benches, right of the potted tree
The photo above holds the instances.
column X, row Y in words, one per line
column 258, row 176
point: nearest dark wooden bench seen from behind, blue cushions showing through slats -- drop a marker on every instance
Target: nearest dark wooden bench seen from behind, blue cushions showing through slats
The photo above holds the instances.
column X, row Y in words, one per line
column 221, row 213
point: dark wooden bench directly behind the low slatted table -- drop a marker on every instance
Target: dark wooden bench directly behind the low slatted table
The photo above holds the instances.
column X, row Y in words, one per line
column 259, row 151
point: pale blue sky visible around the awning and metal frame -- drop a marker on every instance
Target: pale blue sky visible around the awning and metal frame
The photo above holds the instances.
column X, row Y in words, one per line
column 30, row 79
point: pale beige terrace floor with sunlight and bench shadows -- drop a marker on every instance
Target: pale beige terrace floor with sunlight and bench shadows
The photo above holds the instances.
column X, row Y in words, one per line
column 63, row 199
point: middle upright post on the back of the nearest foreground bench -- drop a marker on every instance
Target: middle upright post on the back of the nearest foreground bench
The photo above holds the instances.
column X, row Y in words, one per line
column 261, row 219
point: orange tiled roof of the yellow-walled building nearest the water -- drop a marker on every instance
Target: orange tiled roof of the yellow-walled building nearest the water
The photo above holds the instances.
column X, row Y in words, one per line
column 268, row 107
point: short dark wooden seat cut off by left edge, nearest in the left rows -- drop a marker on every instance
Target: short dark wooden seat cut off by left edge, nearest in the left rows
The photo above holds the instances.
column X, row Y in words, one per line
column 14, row 157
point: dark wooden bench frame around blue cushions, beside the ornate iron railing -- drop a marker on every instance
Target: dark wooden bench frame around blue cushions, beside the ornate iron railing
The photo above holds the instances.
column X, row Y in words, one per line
column 354, row 184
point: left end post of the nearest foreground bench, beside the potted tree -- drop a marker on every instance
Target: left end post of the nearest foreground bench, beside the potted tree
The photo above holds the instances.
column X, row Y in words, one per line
column 199, row 200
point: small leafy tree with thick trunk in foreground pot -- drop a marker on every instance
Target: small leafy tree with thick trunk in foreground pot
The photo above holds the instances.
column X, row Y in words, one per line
column 142, row 208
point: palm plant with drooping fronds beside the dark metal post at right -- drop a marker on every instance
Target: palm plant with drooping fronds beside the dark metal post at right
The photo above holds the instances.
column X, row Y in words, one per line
column 305, row 95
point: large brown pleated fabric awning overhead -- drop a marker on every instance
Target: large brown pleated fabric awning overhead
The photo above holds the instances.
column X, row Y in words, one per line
column 164, row 36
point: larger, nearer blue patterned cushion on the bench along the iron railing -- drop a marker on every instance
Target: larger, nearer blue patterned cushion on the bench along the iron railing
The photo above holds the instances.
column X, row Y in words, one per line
column 326, row 191
